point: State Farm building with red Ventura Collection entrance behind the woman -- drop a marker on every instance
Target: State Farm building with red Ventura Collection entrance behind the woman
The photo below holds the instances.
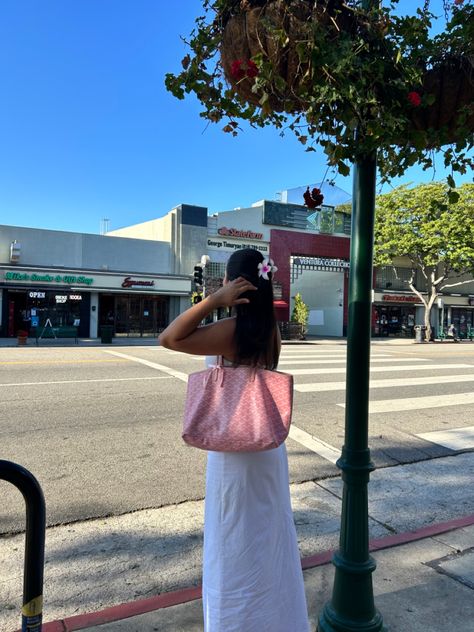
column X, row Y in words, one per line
column 310, row 249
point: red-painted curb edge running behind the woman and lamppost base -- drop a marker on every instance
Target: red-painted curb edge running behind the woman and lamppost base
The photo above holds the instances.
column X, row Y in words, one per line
column 185, row 595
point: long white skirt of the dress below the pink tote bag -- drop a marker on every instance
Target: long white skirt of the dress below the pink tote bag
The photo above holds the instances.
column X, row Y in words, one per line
column 252, row 577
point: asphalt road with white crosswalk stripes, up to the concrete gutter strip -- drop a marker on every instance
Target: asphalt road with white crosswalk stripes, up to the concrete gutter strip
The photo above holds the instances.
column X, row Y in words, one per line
column 100, row 426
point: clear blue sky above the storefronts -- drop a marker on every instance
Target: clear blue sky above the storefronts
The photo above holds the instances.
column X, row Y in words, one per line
column 87, row 129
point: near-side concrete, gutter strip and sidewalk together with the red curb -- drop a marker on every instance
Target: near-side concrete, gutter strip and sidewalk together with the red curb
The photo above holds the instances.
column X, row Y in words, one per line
column 421, row 530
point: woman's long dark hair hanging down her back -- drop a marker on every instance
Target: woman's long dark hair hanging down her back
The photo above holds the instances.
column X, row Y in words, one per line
column 255, row 329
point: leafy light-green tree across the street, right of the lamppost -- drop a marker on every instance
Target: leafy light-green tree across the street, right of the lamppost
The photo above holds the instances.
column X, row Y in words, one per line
column 437, row 237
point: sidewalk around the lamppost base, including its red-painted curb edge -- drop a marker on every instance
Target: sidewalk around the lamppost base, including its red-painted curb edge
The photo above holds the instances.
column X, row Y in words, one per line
column 422, row 586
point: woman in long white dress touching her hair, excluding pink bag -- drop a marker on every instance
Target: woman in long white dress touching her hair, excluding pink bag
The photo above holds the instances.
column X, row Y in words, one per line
column 252, row 577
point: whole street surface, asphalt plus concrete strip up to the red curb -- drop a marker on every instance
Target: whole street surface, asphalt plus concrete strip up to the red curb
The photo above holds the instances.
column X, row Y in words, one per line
column 100, row 428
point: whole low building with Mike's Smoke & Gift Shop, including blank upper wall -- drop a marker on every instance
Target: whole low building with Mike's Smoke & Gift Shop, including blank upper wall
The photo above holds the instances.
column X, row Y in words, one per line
column 58, row 280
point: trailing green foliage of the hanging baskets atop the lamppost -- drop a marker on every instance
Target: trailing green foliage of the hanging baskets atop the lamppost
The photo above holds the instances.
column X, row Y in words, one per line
column 356, row 69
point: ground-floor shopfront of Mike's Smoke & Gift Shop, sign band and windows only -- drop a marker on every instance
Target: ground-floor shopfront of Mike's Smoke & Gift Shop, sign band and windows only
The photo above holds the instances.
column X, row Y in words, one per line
column 42, row 299
